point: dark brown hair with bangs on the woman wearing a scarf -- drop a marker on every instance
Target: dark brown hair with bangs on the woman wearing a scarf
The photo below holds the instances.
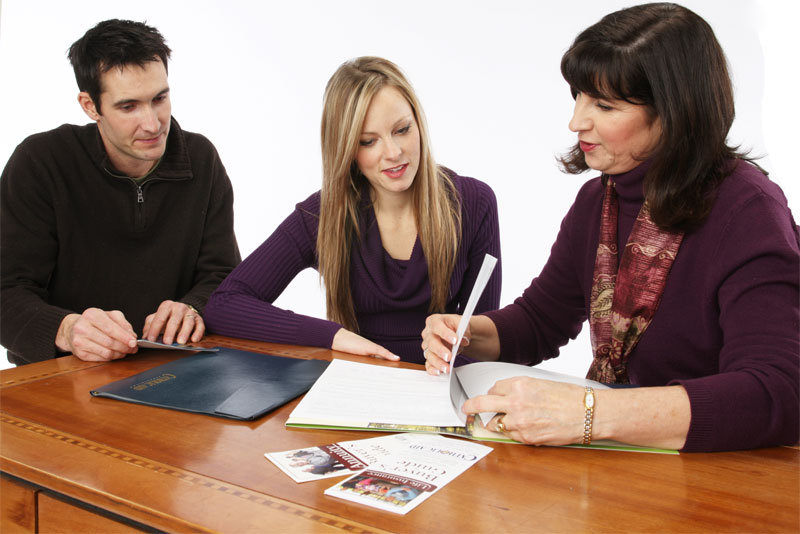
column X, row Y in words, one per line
column 666, row 58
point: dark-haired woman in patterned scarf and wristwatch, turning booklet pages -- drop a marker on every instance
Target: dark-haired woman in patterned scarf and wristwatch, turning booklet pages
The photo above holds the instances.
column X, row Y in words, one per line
column 683, row 256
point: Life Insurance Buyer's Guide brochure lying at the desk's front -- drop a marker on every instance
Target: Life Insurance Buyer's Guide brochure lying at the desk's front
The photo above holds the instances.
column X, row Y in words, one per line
column 402, row 481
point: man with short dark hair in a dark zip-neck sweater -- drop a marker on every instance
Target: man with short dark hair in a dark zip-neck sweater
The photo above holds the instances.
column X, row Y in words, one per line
column 121, row 226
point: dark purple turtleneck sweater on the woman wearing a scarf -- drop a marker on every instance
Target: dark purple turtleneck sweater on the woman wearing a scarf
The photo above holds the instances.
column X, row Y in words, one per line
column 728, row 324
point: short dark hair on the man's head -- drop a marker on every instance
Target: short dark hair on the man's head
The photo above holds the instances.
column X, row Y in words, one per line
column 114, row 43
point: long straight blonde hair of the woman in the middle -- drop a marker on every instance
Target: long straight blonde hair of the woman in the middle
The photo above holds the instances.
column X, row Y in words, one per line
column 436, row 204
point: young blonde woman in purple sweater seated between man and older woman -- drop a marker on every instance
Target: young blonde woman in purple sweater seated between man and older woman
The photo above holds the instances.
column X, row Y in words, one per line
column 393, row 235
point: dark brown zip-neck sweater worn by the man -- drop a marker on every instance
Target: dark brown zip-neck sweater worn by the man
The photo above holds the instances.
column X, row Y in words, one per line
column 75, row 234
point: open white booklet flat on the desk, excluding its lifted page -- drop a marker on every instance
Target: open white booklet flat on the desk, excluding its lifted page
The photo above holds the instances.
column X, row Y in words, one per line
column 361, row 396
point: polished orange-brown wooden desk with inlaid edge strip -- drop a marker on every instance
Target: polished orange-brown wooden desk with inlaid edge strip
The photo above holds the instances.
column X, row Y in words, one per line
column 74, row 462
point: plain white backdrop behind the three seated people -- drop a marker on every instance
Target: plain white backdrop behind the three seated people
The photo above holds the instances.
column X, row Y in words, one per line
column 250, row 76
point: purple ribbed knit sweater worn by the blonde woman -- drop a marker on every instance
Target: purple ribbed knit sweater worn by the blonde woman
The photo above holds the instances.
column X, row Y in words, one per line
column 391, row 297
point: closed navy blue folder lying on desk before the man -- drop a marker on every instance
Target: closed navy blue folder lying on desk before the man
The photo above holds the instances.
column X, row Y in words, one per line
column 227, row 383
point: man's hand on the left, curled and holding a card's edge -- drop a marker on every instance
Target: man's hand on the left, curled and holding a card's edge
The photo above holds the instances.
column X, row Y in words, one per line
column 96, row 335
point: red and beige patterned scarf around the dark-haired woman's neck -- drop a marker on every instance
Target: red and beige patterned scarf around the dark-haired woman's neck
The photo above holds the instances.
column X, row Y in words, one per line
column 624, row 299
